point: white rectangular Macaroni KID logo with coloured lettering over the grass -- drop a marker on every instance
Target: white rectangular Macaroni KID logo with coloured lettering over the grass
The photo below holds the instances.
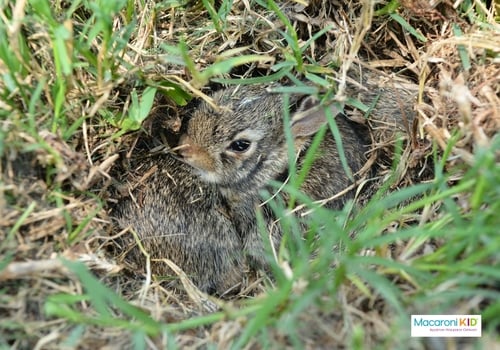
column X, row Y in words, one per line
column 446, row 325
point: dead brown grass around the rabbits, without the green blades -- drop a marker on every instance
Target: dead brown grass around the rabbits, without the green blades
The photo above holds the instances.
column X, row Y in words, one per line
column 450, row 98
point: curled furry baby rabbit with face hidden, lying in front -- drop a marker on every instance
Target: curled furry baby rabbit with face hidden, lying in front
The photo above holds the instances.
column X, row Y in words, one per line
column 179, row 217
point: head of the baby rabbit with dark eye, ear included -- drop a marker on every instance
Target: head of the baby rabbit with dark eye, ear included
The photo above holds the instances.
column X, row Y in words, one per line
column 242, row 145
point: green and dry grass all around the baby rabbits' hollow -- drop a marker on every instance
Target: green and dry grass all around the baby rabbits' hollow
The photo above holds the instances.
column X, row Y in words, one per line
column 79, row 79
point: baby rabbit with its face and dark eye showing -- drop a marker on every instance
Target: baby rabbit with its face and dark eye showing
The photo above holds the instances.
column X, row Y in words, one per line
column 242, row 147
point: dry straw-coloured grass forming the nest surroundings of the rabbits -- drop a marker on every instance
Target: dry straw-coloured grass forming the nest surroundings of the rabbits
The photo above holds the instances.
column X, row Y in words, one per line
column 55, row 197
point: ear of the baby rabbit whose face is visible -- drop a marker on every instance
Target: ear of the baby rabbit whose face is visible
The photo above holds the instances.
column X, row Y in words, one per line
column 310, row 117
